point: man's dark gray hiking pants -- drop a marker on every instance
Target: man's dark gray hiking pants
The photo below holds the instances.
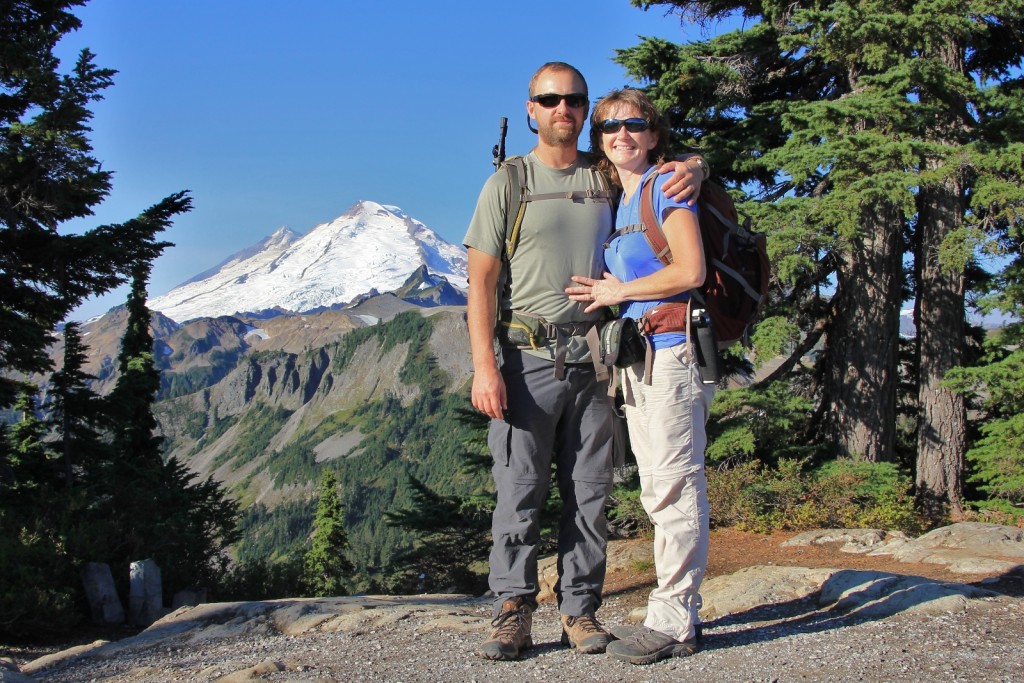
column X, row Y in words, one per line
column 550, row 422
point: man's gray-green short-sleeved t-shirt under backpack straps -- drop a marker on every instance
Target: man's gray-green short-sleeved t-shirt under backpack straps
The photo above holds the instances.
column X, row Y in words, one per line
column 560, row 238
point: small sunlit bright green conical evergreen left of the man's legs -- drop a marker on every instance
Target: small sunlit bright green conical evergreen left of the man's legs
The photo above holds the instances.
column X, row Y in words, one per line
column 326, row 566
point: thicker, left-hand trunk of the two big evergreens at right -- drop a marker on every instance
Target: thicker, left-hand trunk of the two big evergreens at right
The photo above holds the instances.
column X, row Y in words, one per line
column 861, row 362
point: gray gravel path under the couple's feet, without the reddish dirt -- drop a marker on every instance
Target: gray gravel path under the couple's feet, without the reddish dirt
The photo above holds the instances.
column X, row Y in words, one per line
column 796, row 642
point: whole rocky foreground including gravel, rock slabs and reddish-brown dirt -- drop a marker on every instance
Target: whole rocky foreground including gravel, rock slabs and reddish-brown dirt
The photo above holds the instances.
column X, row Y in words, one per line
column 809, row 613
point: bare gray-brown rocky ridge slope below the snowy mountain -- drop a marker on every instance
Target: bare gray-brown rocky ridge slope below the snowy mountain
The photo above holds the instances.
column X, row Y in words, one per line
column 290, row 367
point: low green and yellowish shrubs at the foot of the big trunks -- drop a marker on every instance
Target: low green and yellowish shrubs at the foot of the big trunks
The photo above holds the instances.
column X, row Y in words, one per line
column 840, row 494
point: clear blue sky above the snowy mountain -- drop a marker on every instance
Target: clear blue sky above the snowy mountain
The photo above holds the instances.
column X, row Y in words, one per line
column 276, row 116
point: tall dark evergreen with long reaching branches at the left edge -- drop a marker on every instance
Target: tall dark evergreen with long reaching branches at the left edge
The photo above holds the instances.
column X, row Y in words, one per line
column 49, row 177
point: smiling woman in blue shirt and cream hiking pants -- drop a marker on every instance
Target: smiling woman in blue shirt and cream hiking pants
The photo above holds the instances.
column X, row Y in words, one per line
column 666, row 412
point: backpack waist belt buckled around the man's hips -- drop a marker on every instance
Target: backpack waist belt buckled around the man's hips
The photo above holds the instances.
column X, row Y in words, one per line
column 522, row 329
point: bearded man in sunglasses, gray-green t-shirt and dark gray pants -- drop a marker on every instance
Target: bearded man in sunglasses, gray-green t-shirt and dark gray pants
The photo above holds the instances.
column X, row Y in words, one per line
column 544, row 400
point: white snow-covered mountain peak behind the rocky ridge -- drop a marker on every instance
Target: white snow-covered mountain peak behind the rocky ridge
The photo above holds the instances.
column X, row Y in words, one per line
column 371, row 247
